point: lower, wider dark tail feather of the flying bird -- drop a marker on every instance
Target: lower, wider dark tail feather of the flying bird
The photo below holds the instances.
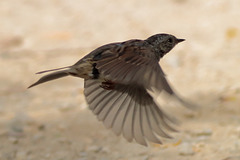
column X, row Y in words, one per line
column 50, row 77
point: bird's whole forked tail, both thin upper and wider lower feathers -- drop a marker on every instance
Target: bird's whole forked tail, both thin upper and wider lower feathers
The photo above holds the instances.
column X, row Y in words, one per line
column 51, row 76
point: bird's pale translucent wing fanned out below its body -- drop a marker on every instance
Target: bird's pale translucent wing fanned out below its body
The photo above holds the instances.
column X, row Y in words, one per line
column 129, row 110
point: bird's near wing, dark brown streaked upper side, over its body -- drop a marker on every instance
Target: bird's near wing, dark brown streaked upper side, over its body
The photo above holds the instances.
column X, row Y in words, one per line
column 129, row 63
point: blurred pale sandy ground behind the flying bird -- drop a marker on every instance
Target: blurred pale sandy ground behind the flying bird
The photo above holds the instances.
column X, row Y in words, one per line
column 52, row 121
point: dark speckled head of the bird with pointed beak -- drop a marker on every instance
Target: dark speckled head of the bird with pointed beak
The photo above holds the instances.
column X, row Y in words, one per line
column 163, row 43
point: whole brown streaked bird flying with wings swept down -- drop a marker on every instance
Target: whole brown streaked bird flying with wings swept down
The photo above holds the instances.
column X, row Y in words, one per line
column 118, row 78
